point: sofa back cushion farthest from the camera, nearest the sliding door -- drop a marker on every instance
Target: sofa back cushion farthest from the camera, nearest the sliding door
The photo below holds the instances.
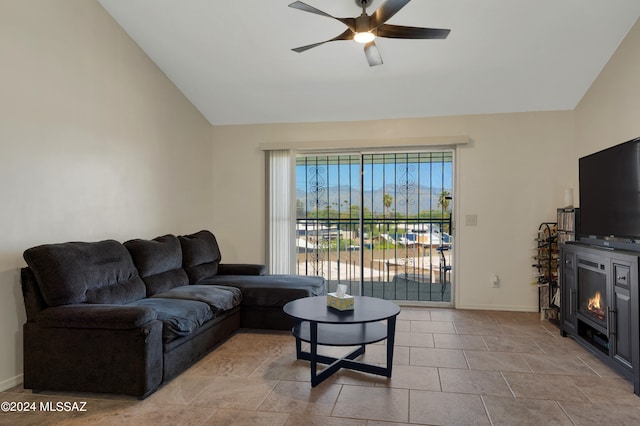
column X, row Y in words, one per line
column 200, row 255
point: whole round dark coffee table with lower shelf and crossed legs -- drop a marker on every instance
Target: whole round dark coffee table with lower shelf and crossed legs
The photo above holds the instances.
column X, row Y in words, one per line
column 319, row 324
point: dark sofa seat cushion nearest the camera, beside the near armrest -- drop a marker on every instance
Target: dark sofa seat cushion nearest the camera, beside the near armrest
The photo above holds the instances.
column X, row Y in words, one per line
column 179, row 317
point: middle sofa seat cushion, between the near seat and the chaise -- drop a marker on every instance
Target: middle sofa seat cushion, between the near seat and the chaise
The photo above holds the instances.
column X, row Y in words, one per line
column 220, row 298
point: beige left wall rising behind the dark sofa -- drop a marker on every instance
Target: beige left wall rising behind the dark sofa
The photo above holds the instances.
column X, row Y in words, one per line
column 95, row 143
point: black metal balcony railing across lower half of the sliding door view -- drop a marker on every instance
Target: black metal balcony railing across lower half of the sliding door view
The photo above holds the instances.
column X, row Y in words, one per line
column 394, row 259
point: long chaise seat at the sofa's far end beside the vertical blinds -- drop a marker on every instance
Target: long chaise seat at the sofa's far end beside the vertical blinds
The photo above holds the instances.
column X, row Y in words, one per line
column 271, row 290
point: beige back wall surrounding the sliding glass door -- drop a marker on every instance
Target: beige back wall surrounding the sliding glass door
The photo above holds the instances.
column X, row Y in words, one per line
column 511, row 176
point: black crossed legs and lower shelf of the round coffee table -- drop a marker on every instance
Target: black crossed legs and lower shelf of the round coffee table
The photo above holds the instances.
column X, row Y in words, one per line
column 343, row 335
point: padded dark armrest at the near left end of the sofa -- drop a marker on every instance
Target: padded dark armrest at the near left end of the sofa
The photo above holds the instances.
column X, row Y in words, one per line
column 110, row 317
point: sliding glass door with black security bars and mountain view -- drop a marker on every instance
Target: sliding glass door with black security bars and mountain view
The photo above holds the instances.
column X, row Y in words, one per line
column 378, row 222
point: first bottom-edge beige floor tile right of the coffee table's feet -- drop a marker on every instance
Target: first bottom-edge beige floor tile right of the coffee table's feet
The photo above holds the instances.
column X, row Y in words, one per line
column 441, row 408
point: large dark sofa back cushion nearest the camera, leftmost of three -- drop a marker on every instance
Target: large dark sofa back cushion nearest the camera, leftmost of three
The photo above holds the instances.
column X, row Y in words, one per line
column 80, row 272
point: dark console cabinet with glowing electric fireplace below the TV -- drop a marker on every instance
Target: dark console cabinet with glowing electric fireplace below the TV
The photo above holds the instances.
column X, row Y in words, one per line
column 599, row 304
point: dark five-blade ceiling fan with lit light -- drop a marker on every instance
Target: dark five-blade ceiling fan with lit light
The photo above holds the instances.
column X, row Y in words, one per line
column 365, row 28
